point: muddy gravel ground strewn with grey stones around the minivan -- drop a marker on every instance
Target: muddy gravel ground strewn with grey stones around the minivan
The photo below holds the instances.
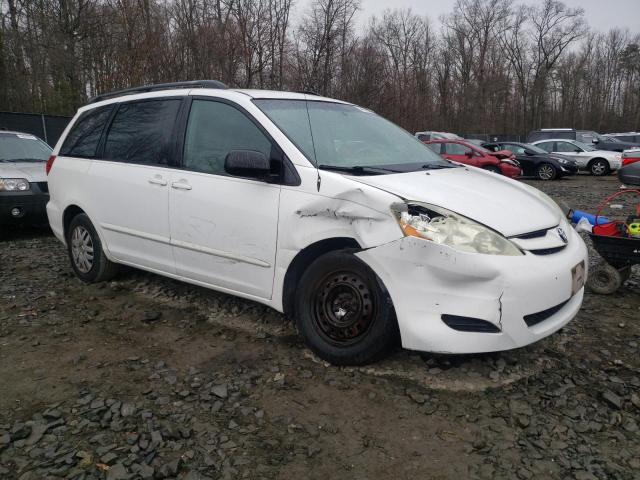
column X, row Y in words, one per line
column 145, row 377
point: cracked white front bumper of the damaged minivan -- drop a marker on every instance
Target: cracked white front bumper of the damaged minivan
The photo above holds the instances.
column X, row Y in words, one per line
column 426, row 281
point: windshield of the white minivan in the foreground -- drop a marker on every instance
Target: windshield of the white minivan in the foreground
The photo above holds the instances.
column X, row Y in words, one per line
column 338, row 135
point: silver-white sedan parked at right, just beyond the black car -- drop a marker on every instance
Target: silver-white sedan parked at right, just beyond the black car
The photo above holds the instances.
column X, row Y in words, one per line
column 588, row 157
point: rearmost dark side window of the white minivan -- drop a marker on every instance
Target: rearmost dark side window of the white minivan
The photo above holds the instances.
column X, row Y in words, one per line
column 84, row 136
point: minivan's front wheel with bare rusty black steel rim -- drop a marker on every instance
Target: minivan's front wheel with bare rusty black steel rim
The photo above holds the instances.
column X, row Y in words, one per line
column 343, row 311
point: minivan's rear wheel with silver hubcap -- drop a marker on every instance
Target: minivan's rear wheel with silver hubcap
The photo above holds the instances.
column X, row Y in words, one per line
column 87, row 257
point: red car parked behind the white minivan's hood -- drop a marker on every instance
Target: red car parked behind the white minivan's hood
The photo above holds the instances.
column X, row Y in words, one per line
column 461, row 151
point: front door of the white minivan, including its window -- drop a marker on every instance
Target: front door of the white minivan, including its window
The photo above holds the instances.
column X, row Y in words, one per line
column 223, row 228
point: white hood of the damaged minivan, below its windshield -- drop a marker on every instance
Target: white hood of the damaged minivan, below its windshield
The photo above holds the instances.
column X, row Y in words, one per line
column 504, row 205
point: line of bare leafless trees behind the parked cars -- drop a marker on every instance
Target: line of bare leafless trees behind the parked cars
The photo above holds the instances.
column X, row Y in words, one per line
column 489, row 66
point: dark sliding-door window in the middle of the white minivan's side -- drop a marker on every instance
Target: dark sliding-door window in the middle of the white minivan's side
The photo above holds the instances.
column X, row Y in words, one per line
column 141, row 132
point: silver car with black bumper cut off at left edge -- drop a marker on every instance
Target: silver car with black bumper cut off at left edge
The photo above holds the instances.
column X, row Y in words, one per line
column 23, row 182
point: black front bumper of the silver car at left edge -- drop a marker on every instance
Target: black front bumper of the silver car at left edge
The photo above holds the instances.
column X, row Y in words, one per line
column 24, row 208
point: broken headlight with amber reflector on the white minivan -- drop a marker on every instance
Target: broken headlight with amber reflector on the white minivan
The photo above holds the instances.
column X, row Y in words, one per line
column 444, row 227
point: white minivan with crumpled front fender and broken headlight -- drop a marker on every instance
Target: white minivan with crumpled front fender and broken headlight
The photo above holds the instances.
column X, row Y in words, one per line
column 318, row 208
